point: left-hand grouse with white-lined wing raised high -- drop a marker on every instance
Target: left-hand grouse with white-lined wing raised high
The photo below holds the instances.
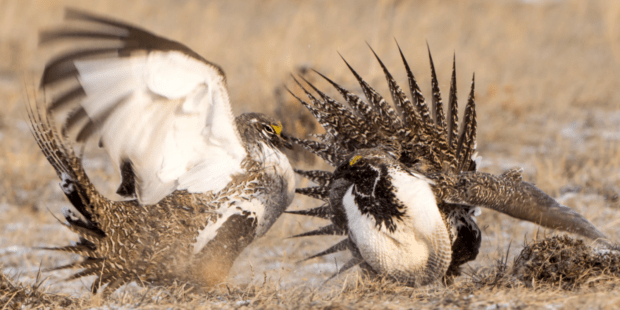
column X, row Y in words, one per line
column 199, row 184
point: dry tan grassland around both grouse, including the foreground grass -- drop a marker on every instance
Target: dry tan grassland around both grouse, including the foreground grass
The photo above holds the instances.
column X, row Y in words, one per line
column 546, row 76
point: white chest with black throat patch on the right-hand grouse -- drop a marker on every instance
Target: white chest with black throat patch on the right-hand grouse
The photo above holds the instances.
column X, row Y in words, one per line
column 412, row 239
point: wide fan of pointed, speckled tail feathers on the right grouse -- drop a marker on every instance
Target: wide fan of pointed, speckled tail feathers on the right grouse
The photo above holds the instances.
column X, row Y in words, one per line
column 411, row 134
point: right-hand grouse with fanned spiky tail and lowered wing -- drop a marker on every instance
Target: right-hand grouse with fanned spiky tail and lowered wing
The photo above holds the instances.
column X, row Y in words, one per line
column 406, row 187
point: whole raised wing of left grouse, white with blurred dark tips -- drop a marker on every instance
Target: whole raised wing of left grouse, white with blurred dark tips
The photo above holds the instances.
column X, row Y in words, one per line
column 161, row 111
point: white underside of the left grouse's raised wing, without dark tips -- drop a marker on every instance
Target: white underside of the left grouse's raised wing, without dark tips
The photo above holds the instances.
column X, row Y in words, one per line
column 170, row 116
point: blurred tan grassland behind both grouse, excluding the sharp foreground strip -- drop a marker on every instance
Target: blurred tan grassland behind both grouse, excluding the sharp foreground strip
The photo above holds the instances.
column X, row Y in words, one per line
column 546, row 91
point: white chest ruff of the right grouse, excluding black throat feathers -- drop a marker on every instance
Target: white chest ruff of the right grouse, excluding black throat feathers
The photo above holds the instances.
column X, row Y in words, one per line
column 406, row 250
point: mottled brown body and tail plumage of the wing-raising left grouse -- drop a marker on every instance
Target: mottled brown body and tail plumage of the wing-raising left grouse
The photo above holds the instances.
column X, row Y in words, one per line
column 124, row 241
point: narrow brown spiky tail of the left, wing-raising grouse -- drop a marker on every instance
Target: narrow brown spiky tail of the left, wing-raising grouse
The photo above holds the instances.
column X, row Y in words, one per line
column 80, row 192
